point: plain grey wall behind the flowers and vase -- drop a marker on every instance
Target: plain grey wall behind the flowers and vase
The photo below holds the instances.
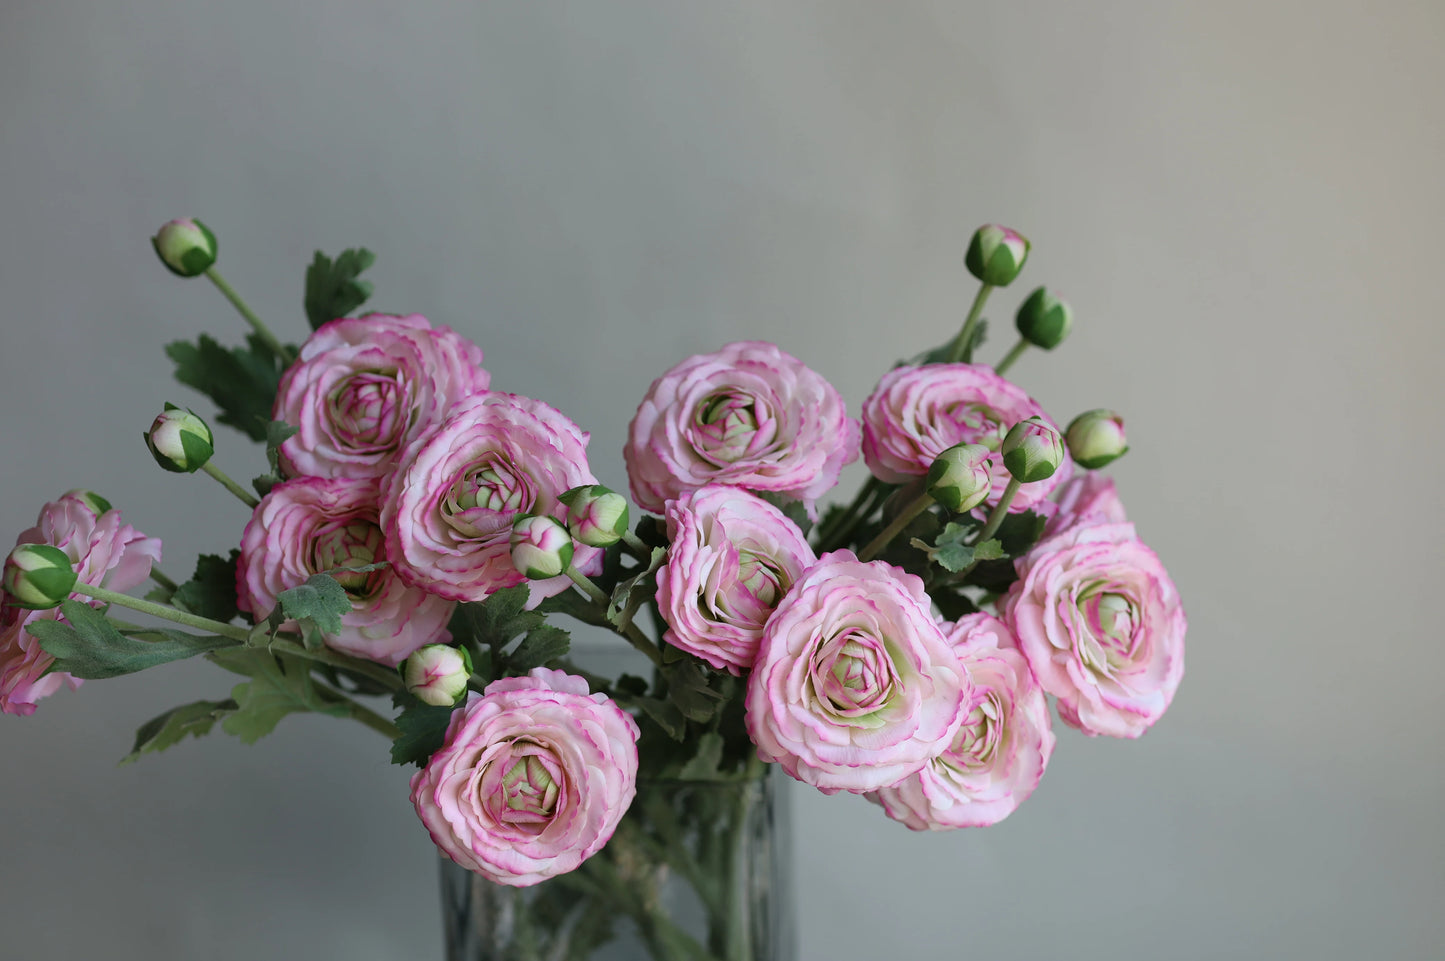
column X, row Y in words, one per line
column 1242, row 200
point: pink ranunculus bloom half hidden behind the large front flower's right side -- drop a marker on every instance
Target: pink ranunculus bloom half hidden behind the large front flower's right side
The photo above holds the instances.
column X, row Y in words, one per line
column 999, row 754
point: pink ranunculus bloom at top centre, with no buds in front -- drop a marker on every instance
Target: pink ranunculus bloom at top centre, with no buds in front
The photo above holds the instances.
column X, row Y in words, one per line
column 748, row 415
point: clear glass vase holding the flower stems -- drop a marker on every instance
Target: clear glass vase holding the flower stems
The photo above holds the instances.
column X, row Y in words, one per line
column 699, row 871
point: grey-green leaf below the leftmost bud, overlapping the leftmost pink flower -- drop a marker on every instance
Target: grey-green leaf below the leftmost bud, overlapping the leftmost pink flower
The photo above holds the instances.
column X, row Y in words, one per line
column 89, row 647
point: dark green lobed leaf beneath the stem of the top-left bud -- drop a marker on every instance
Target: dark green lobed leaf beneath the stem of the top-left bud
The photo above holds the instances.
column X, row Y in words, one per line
column 242, row 381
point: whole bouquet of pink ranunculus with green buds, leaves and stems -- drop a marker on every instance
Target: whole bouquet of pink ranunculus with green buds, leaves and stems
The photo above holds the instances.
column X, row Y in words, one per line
column 418, row 537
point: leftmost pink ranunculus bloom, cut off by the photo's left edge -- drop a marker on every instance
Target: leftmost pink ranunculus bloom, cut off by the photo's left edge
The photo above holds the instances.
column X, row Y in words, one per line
column 106, row 554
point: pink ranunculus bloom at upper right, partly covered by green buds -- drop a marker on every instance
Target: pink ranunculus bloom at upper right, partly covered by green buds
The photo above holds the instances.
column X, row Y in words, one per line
column 915, row 414
